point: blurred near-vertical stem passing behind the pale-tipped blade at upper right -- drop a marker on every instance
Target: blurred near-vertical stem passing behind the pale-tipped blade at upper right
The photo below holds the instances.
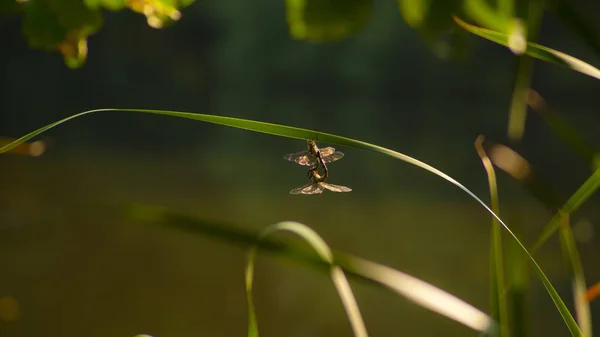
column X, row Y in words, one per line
column 523, row 71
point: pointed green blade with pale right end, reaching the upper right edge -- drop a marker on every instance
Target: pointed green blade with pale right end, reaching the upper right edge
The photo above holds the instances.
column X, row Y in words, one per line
column 534, row 50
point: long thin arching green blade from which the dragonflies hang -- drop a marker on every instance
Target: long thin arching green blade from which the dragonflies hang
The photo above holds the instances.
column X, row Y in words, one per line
column 298, row 133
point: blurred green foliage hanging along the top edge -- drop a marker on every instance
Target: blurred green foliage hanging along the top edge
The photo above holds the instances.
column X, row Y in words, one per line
column 64, row 25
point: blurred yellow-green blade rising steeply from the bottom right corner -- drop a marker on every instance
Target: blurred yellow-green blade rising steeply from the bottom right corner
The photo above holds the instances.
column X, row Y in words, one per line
column 582, row 305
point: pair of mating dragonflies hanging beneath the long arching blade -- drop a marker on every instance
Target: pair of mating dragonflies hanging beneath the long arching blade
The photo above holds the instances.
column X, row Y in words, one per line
column 315, row 158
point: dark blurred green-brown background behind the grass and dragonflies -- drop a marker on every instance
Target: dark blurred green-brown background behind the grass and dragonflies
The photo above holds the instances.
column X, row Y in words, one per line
column 78, row 268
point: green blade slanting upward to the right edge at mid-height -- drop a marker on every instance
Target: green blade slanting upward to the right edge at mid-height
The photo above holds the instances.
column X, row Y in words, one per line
column 575, row 201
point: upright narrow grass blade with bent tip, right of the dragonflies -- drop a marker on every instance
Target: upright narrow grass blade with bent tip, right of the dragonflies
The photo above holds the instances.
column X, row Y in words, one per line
column 497, row 281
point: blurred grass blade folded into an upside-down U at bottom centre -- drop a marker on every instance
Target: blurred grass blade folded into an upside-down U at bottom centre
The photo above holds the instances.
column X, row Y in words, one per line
column 337, row 275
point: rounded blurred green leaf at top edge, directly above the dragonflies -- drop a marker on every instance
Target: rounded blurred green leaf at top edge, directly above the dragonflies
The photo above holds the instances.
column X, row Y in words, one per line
column 331, row 20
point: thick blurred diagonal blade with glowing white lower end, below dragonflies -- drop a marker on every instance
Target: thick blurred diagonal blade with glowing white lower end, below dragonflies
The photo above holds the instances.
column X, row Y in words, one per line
column 371, row 273
